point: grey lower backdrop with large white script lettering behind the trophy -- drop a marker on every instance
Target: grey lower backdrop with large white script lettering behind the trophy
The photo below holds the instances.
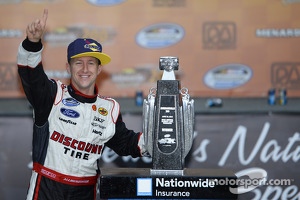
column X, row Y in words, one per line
column 268, row 145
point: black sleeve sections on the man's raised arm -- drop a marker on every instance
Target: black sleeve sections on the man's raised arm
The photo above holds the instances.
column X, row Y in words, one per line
column 39, row 90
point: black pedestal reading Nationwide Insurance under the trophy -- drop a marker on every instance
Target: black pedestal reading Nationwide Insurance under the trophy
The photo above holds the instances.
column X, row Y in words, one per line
column 142, row 183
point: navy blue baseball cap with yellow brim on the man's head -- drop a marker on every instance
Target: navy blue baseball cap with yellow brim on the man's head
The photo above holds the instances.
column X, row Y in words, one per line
column 87, row 47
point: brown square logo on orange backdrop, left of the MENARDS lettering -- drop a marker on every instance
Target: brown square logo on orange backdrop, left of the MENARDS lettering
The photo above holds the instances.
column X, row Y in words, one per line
column 219, row 35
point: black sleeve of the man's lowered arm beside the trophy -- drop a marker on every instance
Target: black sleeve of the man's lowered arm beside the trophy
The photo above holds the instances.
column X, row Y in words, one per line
column 124, row 142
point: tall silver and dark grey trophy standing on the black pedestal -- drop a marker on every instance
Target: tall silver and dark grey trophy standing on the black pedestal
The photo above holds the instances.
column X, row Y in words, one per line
column 168, row 121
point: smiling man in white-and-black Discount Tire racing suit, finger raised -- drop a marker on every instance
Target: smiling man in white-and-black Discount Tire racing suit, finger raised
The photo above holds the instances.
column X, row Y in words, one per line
column 72, row 122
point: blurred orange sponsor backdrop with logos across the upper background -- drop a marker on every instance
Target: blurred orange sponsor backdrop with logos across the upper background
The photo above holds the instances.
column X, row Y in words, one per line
column 229, row 48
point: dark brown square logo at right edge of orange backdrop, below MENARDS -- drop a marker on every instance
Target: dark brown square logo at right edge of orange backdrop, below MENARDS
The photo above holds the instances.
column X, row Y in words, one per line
column 286, row 74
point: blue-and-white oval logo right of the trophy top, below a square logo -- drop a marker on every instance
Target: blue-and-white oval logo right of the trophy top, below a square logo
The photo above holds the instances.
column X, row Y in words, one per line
column 228, row 76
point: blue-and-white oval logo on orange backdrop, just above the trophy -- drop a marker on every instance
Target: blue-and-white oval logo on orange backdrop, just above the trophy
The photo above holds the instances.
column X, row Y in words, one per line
column 160, row 35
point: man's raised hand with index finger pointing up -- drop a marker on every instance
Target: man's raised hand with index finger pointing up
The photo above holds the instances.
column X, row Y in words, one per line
column 36, row 29
